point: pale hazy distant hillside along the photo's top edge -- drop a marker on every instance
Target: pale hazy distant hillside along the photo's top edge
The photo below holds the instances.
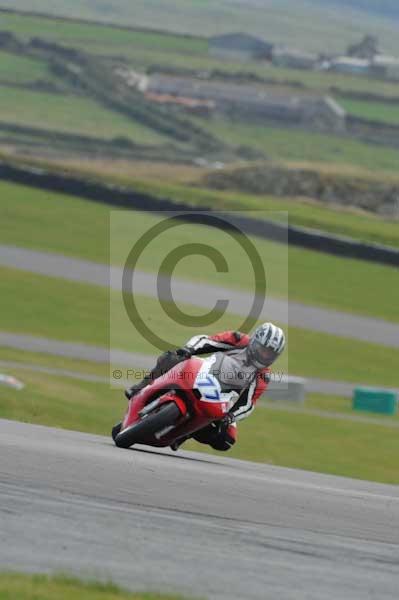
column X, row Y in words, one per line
column 310, row 24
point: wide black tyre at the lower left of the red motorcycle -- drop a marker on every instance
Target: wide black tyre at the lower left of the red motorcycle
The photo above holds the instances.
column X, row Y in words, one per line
column 137, row 433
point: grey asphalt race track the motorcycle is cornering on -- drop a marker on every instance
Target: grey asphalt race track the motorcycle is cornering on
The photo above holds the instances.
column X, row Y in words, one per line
column 201, row 525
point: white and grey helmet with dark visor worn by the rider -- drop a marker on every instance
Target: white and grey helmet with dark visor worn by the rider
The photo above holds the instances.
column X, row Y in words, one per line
column 265, row 345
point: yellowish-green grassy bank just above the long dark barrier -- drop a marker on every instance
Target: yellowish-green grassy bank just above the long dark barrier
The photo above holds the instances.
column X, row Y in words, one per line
column 183, row 183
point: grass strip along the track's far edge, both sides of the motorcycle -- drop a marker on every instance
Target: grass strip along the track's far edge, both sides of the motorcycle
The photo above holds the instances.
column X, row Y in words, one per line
column 349, row 448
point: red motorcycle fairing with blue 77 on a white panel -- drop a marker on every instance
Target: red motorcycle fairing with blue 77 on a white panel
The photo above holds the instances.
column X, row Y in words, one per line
column 179, row 385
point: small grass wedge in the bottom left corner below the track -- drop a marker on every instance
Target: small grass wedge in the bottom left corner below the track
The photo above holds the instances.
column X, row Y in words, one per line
column 17, row 586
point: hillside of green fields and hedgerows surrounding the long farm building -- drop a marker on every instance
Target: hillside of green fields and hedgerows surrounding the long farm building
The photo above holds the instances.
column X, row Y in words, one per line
column 62, row 96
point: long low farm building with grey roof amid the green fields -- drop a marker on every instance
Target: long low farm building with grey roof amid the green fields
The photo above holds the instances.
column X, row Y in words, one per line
column 253, row 102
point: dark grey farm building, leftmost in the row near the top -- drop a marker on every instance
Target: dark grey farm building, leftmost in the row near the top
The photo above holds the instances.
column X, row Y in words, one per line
column 239, row 46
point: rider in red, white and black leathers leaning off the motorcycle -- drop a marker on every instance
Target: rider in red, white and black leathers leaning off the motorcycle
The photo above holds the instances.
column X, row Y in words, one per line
column 242, row 365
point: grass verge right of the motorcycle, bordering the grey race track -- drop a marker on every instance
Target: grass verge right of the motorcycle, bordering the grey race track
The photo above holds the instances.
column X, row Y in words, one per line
column 302, row 441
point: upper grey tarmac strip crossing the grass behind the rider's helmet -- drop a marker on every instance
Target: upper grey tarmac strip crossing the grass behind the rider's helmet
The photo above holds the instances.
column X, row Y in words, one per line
column 204, row 295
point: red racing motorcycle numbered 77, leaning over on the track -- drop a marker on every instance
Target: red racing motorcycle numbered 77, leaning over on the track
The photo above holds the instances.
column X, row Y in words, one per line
column 174, row 406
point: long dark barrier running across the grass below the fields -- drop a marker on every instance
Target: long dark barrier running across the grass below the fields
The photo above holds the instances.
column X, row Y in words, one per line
column 126, row 197
